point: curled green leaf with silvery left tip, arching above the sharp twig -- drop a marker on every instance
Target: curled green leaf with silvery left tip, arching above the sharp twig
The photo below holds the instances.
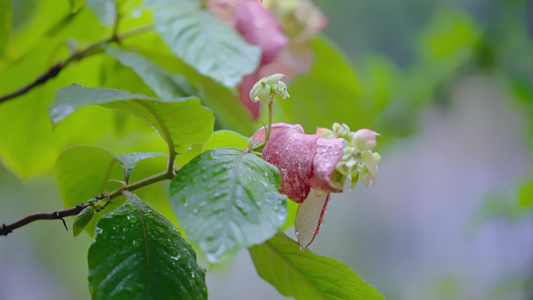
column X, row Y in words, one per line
column 180, row 121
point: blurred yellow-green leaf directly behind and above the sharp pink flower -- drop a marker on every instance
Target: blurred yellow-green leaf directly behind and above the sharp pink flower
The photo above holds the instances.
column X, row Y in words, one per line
column 330, row 93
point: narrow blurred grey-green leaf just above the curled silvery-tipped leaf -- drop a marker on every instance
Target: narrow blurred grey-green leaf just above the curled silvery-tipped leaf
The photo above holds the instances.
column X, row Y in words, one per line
column 162, row 82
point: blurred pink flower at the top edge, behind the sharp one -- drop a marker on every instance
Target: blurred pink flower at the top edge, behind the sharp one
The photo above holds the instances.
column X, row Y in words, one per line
column 281, row 28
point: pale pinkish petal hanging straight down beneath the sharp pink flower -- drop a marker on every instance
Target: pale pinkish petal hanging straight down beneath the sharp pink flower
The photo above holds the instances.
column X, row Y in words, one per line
column 310, row 216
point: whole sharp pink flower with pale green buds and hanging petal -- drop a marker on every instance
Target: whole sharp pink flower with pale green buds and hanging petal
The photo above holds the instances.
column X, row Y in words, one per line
column 314, row 165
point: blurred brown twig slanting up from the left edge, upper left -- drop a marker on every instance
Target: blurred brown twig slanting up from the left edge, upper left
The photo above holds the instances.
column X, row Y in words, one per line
column 76, row 56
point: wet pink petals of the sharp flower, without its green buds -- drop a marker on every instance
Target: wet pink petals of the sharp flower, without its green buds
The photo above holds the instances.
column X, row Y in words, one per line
column 306, row 163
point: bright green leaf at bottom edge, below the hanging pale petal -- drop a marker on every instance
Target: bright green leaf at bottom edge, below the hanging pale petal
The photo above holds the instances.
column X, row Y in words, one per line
column 305, row 275
